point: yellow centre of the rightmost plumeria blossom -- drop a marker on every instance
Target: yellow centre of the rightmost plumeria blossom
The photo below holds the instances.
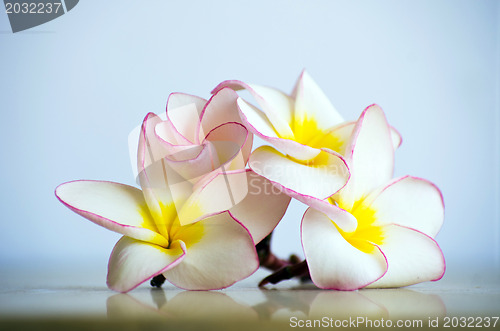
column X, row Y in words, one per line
column 367, row 233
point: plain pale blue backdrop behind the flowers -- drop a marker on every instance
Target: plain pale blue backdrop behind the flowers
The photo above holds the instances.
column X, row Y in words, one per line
column 72, row 89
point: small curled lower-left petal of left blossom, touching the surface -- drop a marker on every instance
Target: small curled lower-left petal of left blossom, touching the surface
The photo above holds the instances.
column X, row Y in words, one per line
column 133, row 262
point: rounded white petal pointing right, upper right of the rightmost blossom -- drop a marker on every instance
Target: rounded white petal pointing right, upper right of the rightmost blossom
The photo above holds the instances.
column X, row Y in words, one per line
column 411, row 202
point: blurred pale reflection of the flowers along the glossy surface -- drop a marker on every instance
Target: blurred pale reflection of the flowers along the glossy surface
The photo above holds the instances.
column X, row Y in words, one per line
column 274, row 305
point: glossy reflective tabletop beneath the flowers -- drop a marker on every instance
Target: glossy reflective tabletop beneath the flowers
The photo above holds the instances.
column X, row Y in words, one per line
column 60, row 299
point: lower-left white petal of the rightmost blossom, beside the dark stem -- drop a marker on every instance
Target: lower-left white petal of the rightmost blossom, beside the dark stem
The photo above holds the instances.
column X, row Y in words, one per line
column 333, row 262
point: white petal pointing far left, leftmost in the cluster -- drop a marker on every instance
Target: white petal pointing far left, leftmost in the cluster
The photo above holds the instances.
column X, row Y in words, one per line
column 117, row 207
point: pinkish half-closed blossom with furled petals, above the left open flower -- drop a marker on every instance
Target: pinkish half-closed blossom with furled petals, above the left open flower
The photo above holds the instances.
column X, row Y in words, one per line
column 221, row 140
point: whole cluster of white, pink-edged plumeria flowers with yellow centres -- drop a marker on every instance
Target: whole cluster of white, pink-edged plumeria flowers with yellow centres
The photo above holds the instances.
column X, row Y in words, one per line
column 206, row 200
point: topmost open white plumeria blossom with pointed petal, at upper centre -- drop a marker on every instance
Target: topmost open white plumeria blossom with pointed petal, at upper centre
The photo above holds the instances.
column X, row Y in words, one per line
column 307, row 134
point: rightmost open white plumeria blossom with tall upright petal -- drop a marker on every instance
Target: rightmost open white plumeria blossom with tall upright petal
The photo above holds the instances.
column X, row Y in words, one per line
column 396, row 220
